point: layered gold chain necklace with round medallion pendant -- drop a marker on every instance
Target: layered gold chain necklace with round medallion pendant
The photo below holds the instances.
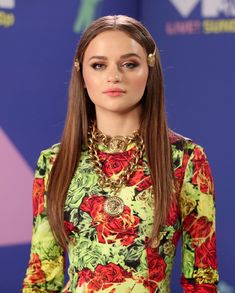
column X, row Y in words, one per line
column 114, row 205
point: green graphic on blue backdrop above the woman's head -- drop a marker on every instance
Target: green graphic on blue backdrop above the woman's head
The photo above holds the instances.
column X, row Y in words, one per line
column 86, row 14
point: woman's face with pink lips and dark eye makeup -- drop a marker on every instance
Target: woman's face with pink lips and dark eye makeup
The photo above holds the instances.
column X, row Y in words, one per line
column 115, row 72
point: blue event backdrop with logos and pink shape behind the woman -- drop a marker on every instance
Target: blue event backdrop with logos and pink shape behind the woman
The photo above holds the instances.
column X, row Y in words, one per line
column 196, row 39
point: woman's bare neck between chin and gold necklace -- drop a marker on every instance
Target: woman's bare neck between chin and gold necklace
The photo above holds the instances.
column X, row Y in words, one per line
column 113, row 124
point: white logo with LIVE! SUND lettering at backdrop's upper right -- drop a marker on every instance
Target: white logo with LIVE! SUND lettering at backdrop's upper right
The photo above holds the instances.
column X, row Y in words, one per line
column 214, row 17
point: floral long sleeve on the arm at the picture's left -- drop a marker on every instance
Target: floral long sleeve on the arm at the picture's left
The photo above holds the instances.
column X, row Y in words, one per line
column 45, row 272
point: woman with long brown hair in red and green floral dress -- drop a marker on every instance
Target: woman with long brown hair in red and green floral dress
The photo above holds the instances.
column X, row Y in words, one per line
column 121, row 188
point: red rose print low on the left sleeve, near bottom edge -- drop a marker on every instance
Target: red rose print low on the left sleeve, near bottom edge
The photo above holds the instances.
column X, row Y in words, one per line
column 37, row 275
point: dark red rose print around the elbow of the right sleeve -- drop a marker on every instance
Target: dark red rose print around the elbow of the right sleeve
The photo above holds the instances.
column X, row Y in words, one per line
column 197, row 227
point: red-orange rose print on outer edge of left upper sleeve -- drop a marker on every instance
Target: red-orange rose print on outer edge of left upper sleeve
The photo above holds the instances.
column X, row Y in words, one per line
column 38, row 196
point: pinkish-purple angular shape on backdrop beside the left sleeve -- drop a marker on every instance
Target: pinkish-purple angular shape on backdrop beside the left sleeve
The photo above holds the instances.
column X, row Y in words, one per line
column 16, row 179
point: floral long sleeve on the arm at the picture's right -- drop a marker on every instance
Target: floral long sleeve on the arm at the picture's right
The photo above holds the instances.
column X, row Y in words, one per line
column 197, row 205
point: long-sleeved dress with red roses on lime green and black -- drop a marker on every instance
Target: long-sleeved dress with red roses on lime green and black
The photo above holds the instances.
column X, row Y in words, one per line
column 112, row 254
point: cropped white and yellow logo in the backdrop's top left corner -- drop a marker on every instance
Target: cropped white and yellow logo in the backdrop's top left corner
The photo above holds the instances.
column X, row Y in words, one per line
column 7, row 18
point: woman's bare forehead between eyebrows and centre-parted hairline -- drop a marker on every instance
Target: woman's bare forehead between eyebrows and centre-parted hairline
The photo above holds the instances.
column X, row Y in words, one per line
column 113, row 42
